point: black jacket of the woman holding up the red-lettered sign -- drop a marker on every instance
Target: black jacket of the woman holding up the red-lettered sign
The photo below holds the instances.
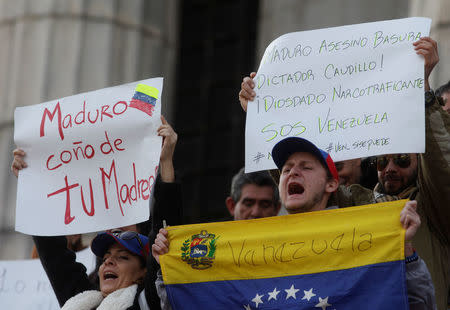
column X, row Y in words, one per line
column 68, row 278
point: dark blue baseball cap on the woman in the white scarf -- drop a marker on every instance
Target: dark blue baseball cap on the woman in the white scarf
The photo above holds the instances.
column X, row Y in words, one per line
column 131, row 240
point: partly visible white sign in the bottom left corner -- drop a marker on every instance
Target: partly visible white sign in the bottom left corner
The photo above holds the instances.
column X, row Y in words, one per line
column 24, row 284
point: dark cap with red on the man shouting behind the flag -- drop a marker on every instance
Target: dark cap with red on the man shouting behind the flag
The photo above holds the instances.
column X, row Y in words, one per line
column 286, row 147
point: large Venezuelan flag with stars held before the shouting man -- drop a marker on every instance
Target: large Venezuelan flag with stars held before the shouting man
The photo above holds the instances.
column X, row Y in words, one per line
column 350, row 258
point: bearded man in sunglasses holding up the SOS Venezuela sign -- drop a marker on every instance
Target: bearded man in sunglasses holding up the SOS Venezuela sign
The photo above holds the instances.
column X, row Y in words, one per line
column 423, row 177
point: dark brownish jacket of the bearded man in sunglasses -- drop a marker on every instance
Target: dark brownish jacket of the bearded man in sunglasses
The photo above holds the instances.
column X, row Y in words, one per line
column 432, row 192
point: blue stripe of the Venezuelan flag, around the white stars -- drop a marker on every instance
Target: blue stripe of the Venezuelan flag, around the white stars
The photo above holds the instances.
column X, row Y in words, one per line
column 379, row 286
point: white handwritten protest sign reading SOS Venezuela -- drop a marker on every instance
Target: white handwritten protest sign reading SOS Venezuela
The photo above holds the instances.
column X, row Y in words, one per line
column 354, row 91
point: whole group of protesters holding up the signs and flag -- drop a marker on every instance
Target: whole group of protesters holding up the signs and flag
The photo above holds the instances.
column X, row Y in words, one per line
column 306, row 180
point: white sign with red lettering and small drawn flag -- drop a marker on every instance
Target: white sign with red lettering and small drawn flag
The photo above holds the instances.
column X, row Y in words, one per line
column 92, row 159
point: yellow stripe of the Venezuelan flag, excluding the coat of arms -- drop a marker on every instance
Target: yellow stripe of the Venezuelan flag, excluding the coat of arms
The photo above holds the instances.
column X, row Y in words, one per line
column 292, row 244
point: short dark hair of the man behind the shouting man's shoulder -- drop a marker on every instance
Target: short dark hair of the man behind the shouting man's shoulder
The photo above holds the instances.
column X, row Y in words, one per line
column 258, row 178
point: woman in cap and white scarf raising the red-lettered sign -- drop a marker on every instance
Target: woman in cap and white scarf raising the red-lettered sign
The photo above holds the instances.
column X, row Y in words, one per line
column 127, row 273
